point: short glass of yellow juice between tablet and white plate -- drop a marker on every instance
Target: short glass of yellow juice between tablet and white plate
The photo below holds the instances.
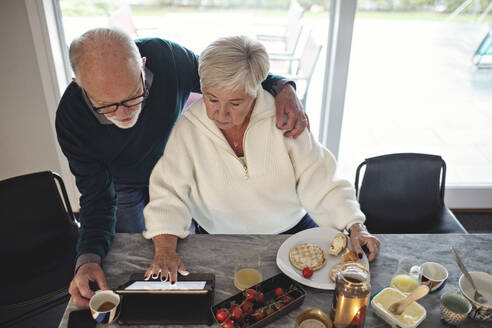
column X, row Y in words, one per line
column 247, row 270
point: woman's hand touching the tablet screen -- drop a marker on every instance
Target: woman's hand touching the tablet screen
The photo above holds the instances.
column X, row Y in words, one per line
column 166, row 263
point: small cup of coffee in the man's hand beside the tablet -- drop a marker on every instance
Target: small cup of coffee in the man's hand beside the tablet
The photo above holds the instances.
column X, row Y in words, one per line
column 105, row 306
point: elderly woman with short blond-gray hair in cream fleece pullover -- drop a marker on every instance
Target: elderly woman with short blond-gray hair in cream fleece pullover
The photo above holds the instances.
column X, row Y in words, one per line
column 228, row 167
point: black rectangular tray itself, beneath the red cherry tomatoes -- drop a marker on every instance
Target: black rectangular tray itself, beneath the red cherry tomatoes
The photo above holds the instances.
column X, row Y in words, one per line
column 268, row 286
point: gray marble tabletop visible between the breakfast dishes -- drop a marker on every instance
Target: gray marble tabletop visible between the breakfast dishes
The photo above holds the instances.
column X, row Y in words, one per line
column 215, row 253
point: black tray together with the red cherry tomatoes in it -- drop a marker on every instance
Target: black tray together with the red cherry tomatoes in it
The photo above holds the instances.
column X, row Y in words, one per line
column 260, row 304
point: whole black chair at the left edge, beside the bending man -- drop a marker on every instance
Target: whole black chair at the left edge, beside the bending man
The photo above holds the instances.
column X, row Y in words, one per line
column 37, row 247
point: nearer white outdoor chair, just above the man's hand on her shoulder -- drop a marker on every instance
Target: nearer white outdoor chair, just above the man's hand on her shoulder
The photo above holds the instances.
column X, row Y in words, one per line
column 303, row 66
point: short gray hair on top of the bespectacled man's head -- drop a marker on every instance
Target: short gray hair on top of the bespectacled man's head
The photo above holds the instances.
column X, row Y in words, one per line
column 100, row 37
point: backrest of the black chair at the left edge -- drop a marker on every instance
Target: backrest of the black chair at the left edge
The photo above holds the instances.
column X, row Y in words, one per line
column 38, row 230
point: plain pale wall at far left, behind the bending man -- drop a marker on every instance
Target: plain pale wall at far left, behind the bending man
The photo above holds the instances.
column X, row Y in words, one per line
column 27, row 136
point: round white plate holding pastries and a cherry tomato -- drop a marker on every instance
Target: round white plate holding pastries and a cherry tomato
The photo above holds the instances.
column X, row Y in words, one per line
column 322, row 237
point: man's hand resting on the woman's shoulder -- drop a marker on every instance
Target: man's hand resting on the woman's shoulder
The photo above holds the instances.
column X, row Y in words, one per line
column 288, row 106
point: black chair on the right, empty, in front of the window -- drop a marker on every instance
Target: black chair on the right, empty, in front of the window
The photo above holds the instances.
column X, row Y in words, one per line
column 404, row 193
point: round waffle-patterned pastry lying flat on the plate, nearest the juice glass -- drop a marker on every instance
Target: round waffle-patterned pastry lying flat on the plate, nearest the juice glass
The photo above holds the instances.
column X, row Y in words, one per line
column 307, row 256
